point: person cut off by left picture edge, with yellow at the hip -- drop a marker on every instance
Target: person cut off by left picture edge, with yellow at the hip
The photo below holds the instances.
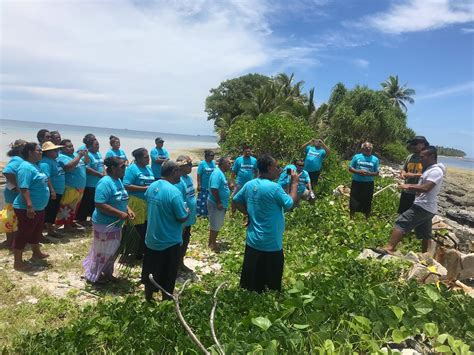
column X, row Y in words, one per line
column 11, row 190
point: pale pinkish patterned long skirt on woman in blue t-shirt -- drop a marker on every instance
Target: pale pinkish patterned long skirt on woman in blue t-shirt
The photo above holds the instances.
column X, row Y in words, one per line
column 101, row 257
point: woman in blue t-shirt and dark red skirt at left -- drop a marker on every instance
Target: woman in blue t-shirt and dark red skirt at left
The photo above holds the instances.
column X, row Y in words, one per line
column 29, row 205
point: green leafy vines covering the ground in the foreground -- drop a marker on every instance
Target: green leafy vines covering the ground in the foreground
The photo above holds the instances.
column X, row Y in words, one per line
column 331, row 302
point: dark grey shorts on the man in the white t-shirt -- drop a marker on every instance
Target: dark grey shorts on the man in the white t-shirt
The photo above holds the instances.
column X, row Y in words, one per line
column 418, row 219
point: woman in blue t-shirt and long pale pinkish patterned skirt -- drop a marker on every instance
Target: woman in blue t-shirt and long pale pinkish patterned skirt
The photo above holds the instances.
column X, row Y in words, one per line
column 111, row 210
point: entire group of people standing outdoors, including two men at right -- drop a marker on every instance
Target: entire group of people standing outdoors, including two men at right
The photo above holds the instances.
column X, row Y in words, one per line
column 55, row 188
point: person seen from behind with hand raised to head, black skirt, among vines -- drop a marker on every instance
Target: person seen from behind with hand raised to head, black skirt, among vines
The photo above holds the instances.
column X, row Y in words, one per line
column 264, row 201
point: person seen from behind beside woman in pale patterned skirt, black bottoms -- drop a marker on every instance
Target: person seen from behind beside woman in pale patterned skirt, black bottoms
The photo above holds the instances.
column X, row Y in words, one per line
column 166, row 215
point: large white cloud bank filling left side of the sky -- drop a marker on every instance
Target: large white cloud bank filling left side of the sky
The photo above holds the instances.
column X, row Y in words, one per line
column 152, row 60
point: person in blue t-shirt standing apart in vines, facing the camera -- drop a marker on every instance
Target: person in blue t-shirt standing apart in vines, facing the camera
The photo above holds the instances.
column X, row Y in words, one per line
column 364, row 167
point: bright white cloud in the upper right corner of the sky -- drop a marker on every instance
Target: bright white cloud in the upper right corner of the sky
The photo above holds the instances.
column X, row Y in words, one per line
column 421, row 15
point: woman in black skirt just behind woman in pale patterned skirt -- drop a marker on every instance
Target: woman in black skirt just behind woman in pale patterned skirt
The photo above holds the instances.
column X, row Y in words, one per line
column 94, row 171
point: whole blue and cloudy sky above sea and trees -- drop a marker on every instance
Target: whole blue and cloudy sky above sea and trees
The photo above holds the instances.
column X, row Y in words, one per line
column 150, row 64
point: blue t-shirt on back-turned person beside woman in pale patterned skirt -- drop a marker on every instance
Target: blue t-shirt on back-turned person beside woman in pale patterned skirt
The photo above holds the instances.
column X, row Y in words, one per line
column 165, row 207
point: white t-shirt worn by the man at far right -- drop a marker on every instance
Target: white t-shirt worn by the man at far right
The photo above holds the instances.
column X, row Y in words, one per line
column 429, row 200
